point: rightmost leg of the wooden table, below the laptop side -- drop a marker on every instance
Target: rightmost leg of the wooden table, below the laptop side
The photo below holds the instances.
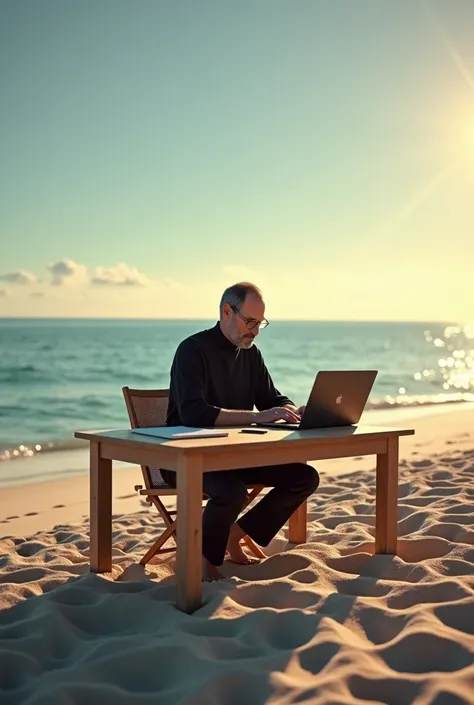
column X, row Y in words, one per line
column 386, row 499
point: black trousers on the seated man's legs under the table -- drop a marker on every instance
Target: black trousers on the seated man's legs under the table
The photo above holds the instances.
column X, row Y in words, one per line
column 292, row 484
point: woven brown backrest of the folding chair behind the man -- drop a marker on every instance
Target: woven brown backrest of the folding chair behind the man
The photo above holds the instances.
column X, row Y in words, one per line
column 147, row 407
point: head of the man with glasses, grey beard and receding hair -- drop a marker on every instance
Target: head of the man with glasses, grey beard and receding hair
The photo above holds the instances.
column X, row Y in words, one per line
column 242, row 313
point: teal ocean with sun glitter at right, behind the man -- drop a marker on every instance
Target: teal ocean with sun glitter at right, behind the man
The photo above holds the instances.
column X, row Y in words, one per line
column 58, row 376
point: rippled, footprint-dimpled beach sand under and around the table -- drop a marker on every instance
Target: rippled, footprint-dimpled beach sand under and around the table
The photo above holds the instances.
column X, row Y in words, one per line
column 327, row 622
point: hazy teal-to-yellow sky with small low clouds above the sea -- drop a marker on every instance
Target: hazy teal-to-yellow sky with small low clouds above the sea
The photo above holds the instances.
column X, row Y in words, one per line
column 154, row 152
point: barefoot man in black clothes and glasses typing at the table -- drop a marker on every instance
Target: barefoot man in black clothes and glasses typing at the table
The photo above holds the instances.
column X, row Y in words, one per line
column 218, row 377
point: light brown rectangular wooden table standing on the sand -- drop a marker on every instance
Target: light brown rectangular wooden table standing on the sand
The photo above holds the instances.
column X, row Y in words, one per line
column 190, row 458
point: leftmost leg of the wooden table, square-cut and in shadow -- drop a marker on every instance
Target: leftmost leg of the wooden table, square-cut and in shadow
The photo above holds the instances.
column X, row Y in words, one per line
column 100, row 511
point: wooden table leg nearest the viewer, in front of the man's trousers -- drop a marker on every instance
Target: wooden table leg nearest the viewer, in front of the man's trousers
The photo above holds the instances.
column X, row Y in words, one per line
column 189, row 534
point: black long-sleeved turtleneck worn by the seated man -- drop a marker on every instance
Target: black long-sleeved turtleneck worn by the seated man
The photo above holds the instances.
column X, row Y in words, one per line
column 209, row 373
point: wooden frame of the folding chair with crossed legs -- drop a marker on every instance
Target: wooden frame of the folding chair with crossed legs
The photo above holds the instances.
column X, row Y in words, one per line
column 152, row 494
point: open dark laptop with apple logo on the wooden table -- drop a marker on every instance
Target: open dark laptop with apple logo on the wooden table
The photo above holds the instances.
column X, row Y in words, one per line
column 337, row 398
